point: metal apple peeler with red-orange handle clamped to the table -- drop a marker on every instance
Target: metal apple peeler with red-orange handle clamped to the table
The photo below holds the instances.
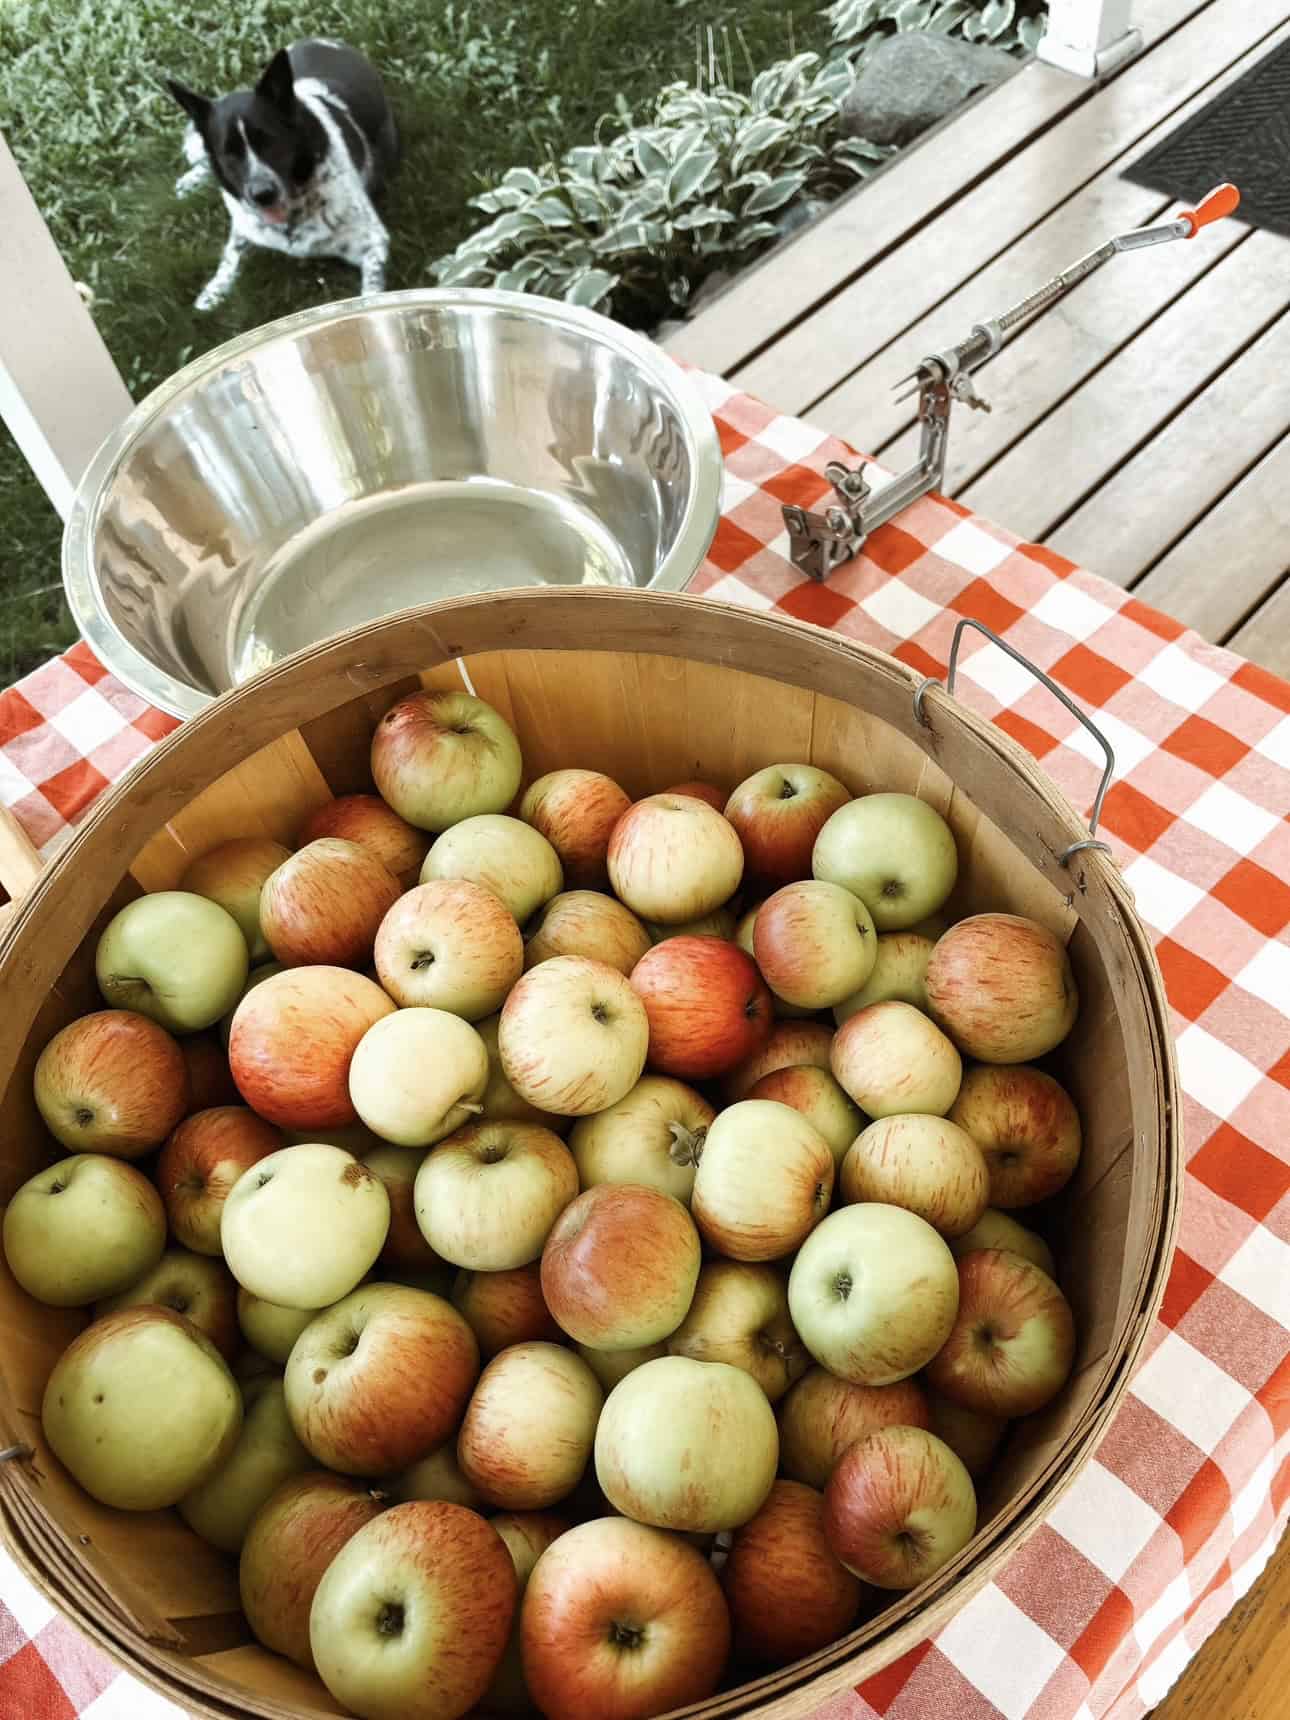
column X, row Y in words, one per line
column 825, row 541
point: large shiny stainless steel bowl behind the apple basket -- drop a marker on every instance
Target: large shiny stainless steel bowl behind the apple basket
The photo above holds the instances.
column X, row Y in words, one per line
column 372, row 455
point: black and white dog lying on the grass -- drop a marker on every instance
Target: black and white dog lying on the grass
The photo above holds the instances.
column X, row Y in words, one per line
column 300, row 161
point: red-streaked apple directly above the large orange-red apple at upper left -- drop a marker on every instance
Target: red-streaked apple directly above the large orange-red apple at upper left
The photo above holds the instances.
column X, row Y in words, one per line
column 326, row 902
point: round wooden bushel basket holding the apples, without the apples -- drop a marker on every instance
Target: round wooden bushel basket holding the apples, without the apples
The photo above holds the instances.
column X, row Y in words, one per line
column 654, row 691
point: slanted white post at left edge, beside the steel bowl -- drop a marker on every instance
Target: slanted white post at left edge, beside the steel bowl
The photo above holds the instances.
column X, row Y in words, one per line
column 59, row 390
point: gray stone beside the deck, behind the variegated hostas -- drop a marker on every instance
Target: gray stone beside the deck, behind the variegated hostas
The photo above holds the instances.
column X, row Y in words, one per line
column 911, row 82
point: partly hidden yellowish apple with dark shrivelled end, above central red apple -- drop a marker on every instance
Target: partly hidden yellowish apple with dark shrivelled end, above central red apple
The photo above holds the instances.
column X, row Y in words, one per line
column 651, row 1138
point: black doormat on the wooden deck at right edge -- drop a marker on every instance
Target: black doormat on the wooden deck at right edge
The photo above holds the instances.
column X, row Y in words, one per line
column 1243, row 137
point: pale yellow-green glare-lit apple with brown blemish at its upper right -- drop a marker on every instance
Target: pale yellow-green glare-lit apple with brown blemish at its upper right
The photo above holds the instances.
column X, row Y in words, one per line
column 312, row 1193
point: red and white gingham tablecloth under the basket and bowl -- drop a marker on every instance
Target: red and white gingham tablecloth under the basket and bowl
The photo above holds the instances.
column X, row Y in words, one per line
column 1177, row 1516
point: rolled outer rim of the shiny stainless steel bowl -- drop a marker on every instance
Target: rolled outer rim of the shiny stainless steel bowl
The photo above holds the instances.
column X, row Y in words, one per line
column 176, row 697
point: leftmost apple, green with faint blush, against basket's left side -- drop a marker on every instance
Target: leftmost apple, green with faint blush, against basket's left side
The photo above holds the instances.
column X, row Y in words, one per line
column 85, row 1229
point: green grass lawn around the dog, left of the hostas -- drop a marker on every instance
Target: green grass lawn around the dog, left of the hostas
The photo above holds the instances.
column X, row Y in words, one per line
column 477, row 89
